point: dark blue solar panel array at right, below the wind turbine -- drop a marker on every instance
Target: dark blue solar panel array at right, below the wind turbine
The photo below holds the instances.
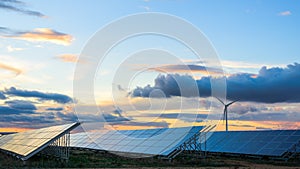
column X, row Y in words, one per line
column 267, row 143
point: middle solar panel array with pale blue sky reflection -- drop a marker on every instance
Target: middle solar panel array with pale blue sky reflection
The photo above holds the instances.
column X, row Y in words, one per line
column 149, row 142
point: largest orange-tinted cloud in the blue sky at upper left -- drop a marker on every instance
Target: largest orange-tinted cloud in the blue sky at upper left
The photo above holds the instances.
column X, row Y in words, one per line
column 44, row 35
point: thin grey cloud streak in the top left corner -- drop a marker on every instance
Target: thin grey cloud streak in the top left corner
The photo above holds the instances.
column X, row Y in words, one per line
column 17, row 6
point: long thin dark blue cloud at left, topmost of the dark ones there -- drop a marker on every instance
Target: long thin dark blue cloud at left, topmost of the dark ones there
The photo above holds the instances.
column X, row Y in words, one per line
column 58, row 98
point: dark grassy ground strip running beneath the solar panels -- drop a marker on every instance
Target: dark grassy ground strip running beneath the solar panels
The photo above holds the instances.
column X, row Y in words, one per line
column 88, row 159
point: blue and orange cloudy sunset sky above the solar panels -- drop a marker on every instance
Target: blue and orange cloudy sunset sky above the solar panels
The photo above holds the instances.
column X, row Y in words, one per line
column 257, row 43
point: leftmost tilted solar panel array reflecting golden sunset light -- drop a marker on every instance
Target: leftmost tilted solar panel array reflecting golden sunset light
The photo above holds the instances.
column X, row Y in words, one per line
column 25, row 144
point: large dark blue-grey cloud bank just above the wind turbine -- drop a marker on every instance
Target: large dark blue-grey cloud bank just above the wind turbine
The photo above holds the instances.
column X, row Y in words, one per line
column 270, row 85
